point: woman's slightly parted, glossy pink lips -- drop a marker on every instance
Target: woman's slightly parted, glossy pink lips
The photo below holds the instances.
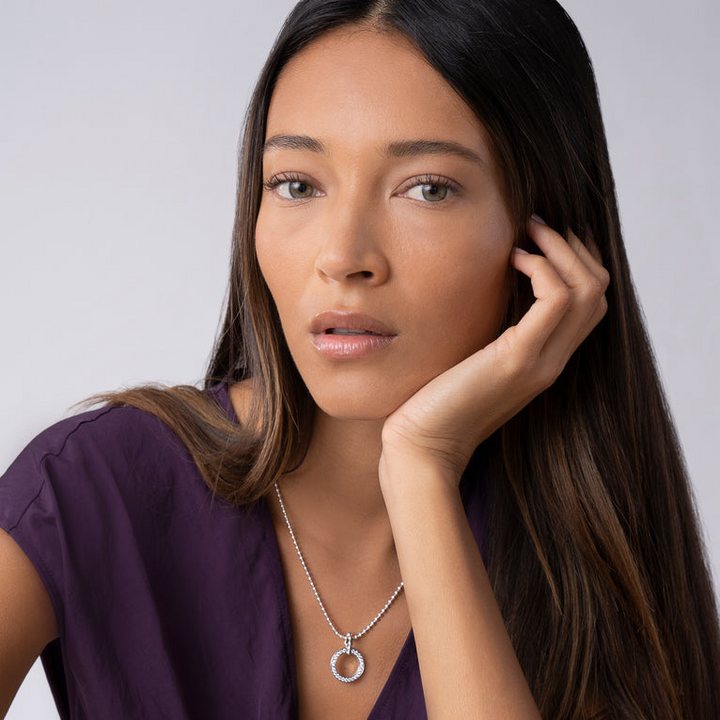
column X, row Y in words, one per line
column 375, row 336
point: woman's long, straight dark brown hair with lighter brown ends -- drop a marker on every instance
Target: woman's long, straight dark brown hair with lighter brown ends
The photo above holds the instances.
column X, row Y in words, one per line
column 592, row 545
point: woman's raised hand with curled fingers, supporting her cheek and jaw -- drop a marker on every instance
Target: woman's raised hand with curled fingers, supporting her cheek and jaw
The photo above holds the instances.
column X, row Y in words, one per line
column 450, row 416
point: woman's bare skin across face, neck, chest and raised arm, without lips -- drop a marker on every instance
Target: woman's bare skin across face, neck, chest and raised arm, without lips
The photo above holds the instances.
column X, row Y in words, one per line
column 346, row 224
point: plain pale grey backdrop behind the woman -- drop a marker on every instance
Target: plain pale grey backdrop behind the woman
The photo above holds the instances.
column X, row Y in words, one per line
column 118, row 139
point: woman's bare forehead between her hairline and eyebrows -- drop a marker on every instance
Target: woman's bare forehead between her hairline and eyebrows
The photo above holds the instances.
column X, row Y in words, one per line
column 359, row 86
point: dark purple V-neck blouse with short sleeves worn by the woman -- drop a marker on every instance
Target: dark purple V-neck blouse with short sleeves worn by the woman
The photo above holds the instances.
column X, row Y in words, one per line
column 169, row 602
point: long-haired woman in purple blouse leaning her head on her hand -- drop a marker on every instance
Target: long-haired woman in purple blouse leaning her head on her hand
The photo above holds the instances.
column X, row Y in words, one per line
column 436, row 443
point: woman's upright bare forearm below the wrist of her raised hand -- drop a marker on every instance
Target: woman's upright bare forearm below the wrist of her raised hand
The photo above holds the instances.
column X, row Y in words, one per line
column 467, row 662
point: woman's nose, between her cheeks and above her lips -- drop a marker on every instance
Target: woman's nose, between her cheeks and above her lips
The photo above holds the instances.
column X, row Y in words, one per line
column 352, row 248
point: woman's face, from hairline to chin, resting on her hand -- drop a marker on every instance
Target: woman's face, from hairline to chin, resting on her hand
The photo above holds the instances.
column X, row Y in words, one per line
column 383, row 233
